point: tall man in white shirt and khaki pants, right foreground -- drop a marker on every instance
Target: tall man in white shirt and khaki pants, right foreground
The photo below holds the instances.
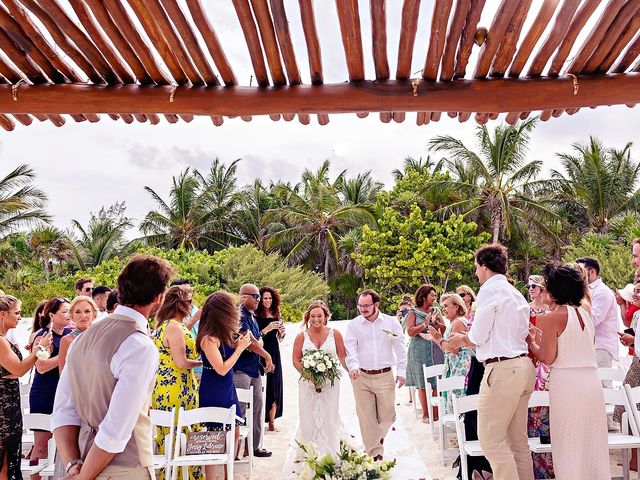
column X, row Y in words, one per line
column 498, row 333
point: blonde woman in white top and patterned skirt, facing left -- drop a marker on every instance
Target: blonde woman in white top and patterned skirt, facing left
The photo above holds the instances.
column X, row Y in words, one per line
column 456, row 360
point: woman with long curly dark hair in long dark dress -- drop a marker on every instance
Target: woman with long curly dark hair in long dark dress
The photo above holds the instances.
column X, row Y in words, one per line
column 272, row 328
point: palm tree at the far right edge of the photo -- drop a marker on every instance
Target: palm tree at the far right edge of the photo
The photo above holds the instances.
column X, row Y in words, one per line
column 598, row 185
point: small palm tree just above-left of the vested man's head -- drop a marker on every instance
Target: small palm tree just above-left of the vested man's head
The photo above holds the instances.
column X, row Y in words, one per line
column 104, row 237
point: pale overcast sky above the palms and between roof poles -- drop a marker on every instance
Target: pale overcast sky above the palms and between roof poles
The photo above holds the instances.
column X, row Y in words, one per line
column 83, row 167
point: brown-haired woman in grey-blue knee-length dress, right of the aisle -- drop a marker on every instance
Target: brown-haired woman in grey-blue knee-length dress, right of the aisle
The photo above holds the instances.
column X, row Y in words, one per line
column 421, row 349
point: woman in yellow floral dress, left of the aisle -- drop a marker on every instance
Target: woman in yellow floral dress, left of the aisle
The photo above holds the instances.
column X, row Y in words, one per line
column 176, row 384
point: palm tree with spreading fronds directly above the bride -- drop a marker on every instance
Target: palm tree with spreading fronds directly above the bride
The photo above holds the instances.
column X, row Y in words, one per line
column 314, row 215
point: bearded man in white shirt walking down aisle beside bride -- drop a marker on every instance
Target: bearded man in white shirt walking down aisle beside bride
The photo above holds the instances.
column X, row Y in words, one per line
column 375, row 343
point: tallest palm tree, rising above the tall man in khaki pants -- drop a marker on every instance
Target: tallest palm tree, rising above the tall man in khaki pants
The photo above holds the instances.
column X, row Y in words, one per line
column 505, row 182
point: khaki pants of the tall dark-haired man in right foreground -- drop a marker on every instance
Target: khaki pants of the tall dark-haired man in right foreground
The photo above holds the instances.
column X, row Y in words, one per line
column 502, row 417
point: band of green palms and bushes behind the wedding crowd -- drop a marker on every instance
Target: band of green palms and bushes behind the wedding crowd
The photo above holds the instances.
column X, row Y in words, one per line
column 332, row 233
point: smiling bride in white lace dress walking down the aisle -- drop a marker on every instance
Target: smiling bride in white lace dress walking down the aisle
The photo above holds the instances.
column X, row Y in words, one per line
column 319, row 419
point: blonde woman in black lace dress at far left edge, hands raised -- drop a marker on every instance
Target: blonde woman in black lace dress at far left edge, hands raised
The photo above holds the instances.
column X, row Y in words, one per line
column 12, row 366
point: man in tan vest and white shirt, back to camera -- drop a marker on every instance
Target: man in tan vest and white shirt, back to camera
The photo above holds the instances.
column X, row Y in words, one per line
column 100, row 417
